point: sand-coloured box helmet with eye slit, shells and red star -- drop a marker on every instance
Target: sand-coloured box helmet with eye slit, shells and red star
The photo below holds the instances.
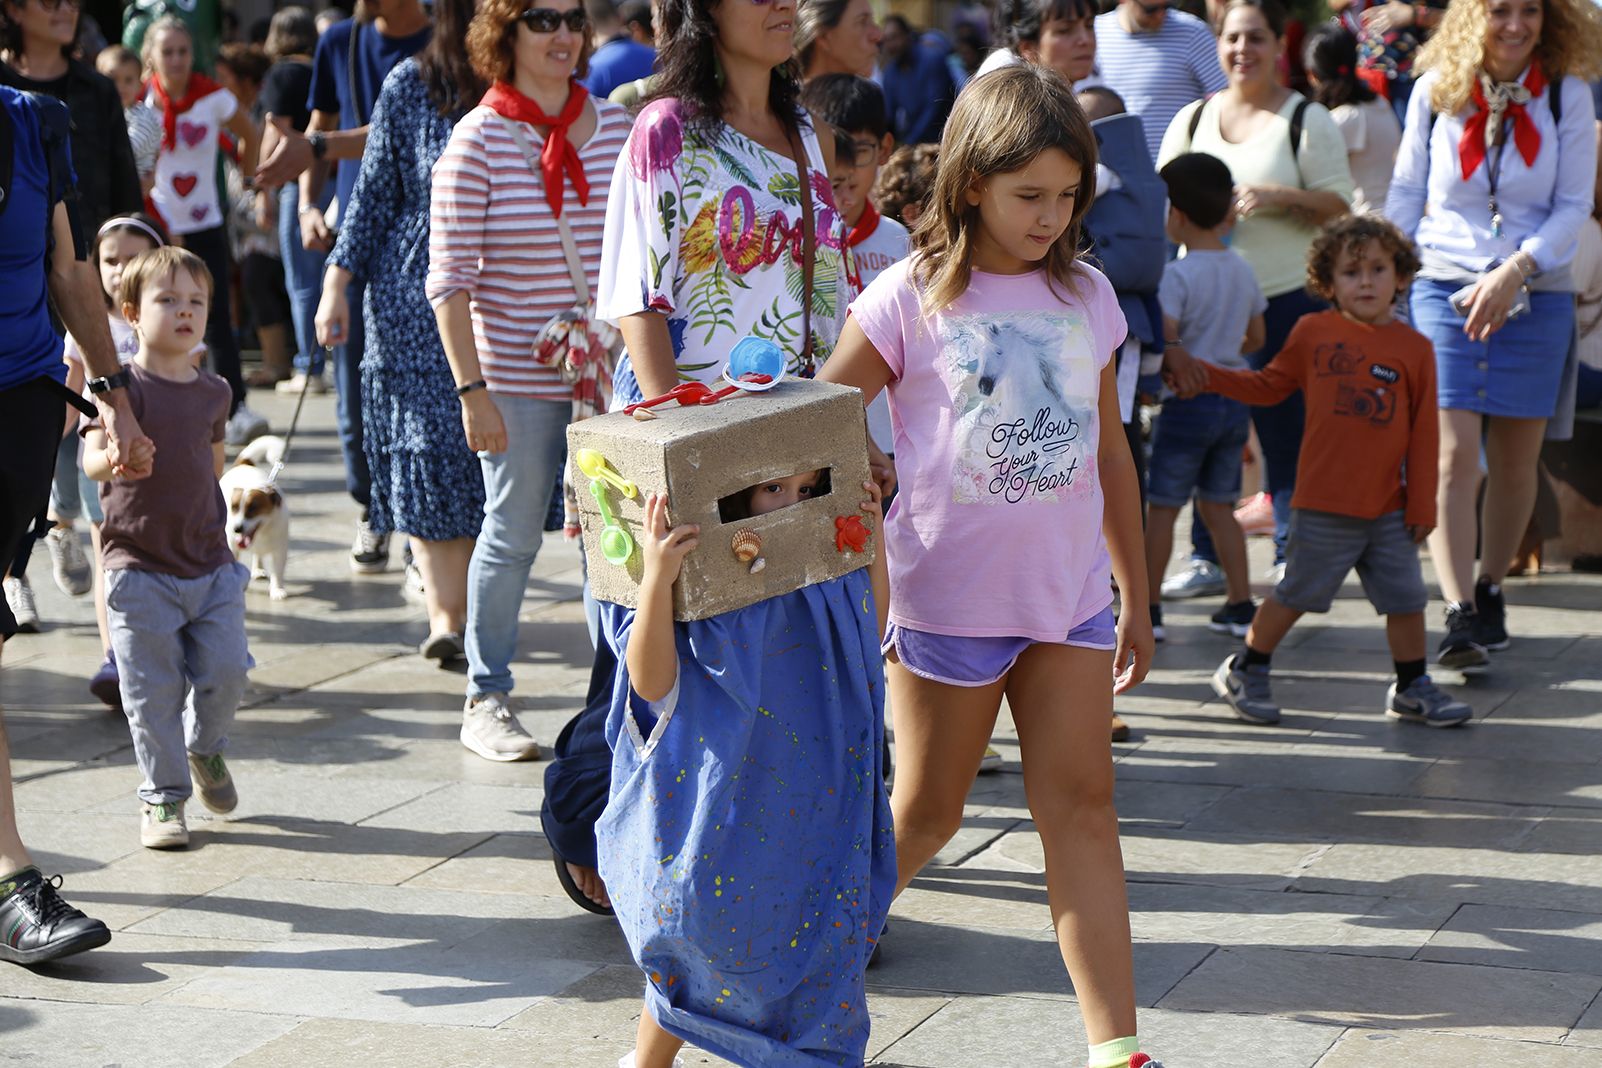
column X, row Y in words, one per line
column 701, row 456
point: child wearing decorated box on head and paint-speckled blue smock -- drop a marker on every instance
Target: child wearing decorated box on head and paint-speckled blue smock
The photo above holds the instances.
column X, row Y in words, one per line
column 747, row 845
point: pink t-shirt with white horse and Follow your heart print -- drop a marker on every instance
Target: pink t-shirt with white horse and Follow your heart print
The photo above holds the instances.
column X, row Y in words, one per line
column 997, row 529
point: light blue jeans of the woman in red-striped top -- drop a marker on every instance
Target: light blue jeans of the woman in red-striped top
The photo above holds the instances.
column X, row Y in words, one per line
column 517, row 499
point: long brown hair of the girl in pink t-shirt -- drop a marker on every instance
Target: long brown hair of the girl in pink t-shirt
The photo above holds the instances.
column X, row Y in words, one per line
column 1000, row 124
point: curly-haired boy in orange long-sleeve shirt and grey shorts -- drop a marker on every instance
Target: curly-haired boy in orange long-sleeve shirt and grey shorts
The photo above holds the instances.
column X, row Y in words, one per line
column 1366, row 486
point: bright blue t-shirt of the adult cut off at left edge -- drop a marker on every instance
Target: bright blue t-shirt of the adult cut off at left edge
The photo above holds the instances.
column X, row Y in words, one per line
column 28, row 343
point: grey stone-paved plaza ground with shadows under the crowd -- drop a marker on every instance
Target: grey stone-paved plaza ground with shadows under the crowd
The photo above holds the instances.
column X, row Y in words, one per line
column 1342, row 891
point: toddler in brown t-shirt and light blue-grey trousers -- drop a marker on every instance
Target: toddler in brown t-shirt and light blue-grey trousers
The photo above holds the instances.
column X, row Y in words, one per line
column 175, row 598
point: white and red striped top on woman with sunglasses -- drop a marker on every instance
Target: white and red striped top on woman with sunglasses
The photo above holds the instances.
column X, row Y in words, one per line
column 494, row 236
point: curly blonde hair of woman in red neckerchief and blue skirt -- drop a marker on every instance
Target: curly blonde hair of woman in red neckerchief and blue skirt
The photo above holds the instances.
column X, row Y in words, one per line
column 1571, row 44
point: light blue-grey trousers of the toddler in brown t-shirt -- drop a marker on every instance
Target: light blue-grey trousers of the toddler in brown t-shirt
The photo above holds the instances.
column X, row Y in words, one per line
column 174, row 635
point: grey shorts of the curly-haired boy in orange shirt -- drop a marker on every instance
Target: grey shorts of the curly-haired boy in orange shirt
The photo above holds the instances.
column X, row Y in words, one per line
column 1324, row 547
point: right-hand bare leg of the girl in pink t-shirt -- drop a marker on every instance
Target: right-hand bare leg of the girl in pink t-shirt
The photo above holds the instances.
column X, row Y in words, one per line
column 1061, row 699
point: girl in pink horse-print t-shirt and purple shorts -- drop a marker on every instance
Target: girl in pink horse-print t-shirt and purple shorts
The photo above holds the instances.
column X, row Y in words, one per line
column 1018, row 497
